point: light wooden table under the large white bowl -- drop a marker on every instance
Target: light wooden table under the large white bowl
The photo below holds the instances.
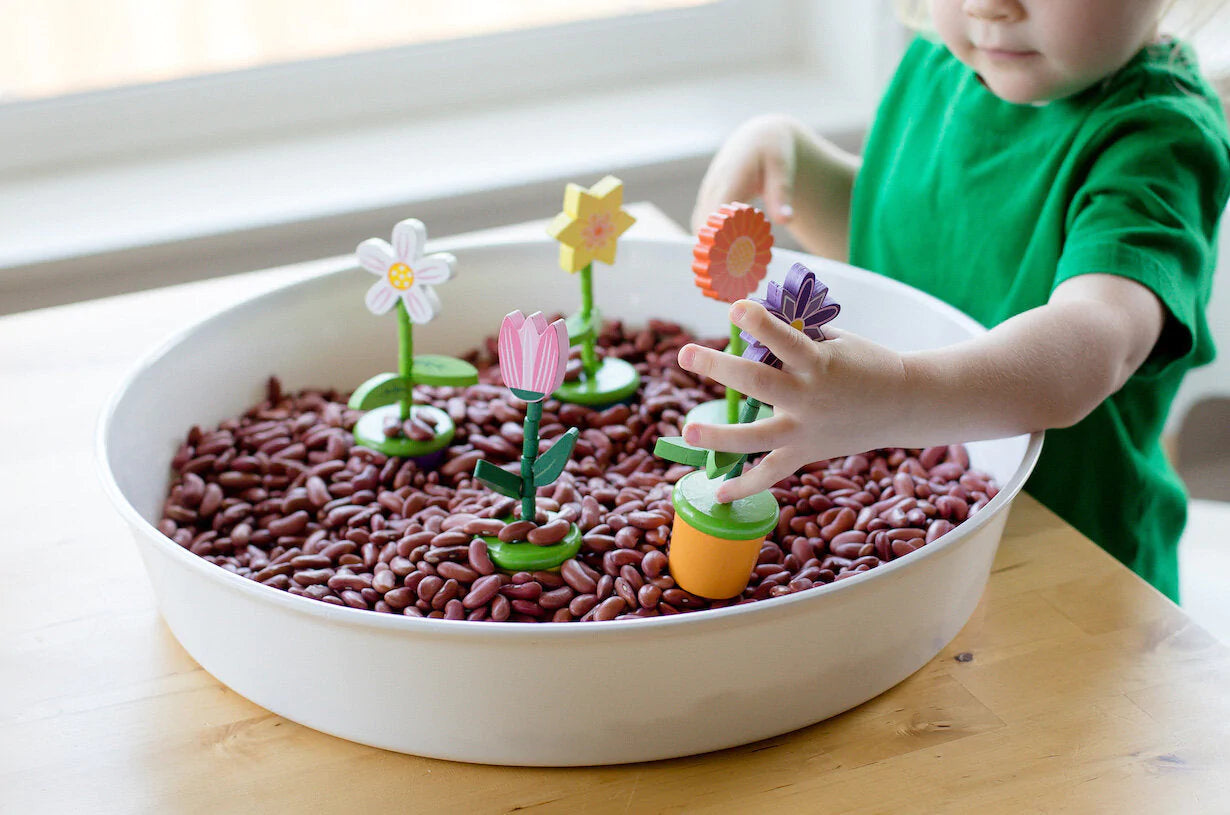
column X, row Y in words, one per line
column 1074, row 688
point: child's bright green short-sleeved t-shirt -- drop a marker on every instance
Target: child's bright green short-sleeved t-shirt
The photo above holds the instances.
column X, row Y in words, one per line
column 990, row 206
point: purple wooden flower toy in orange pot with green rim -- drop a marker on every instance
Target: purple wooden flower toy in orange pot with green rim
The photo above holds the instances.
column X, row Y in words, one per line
column 714, row 546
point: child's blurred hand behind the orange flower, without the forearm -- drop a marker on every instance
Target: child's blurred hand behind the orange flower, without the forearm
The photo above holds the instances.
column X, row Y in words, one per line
column 757, row 162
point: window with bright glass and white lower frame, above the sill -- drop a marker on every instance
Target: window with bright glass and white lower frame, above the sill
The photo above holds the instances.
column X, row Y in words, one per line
column 389, row 66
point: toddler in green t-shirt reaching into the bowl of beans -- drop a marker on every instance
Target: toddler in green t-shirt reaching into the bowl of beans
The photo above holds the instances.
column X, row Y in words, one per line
column 1055, row 169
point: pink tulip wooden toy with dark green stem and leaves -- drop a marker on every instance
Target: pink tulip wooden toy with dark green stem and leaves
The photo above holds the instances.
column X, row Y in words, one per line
column 533, row 356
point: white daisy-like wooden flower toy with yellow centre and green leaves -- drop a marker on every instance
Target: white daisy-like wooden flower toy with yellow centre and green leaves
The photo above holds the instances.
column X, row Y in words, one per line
column 393, row 423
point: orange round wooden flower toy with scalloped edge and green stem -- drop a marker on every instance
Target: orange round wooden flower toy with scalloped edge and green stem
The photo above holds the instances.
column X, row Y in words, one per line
column 730, row 261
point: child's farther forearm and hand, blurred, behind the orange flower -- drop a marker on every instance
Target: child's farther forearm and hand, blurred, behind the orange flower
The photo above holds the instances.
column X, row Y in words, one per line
column 804, row 180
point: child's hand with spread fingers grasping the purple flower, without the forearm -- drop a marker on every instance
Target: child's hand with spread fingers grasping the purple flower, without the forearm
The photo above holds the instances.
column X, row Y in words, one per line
column 836, row 398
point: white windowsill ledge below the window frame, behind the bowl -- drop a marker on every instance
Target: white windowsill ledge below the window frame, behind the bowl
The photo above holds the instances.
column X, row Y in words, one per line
column 57, row 230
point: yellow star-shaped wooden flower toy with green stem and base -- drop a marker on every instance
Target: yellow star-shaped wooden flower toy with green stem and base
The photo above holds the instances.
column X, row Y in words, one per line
column 589, row 230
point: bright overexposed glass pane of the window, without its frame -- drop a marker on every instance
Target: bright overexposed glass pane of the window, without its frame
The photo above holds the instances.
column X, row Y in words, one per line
column 58, row 47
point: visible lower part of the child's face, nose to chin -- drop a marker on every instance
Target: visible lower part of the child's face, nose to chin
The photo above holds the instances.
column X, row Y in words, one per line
column 1038, row 51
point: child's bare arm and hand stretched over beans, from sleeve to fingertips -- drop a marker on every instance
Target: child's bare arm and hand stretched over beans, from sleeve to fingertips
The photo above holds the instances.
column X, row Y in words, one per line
column 1046, row 368
